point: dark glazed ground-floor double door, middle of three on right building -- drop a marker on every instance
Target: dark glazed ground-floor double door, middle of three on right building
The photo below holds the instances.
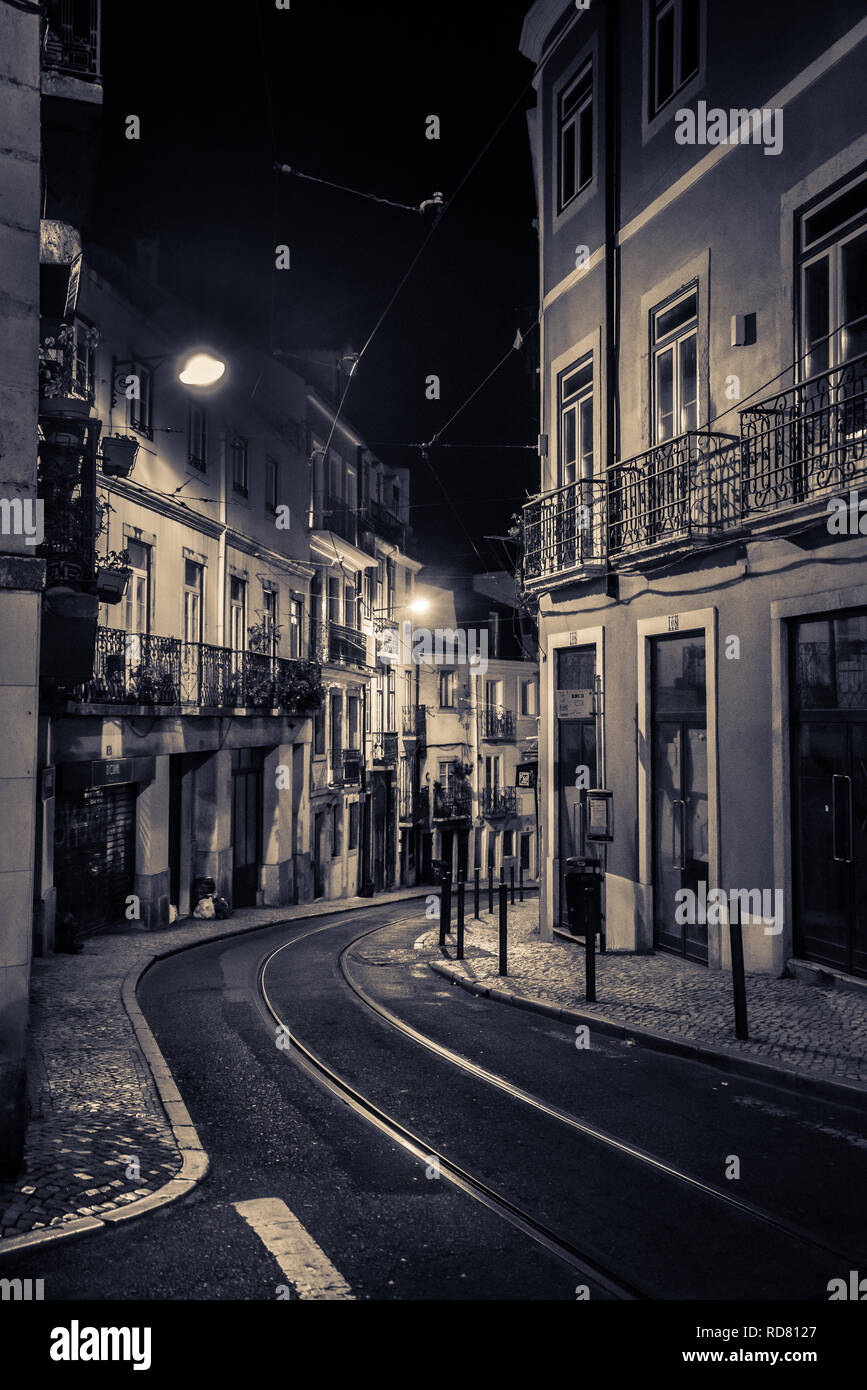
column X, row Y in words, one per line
column 680, row 793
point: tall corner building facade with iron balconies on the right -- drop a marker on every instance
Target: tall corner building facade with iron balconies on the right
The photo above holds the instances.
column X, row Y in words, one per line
column 704, row 616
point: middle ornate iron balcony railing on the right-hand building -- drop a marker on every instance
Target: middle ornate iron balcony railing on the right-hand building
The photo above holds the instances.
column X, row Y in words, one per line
column 687, row 489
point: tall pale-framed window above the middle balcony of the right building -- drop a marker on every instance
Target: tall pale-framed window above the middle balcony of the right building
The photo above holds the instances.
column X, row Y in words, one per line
column 675, row 336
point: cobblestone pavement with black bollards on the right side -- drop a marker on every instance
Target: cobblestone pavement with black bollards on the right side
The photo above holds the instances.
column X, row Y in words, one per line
column 798, row 1027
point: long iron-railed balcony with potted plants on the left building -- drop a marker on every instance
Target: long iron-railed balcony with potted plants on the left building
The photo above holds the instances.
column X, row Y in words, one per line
column 142, row 669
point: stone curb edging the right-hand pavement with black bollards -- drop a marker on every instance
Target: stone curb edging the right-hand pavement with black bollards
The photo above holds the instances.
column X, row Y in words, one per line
column 819, row 1085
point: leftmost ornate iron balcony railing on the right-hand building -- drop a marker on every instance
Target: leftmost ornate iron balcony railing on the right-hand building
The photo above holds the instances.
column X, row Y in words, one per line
column 566, row 530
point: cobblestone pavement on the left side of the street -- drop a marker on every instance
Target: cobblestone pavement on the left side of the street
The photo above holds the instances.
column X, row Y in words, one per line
column 98, row 1136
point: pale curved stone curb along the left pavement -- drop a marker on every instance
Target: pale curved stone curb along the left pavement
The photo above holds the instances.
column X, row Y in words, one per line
column 195, row 1160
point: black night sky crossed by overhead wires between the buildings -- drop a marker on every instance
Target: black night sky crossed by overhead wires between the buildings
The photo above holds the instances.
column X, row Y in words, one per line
column 342, row 92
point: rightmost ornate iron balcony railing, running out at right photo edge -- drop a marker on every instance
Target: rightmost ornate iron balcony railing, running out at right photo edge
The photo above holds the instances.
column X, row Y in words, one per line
column 807, row 441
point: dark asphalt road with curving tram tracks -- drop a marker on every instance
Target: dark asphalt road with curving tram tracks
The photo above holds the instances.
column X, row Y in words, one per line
column 393, row 1231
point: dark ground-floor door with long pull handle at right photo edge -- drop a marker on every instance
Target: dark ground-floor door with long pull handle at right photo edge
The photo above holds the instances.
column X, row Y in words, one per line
column 830, row 790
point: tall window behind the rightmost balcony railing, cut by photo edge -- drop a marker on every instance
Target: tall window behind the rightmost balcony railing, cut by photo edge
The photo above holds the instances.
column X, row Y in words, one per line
column 834, row 280
